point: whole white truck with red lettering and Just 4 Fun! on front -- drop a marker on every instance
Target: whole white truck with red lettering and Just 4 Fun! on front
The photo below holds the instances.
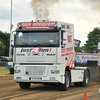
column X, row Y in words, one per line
column 44, row 53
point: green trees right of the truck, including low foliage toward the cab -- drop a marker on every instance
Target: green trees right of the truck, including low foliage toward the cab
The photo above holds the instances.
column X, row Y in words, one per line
column 93, row 38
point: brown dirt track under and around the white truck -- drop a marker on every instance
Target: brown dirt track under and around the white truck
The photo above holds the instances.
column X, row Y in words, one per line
column 9, row 90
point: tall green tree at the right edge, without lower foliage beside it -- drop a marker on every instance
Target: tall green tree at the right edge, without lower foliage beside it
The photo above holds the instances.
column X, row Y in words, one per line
column 93, row 39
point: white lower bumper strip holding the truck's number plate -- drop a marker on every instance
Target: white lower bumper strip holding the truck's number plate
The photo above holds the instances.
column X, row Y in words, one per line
column 47, row 79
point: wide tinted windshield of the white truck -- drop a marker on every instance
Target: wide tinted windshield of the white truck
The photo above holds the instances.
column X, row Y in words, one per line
column 37, row 39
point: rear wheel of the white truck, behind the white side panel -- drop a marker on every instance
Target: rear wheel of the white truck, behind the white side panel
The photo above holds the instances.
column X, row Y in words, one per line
column 85, row 81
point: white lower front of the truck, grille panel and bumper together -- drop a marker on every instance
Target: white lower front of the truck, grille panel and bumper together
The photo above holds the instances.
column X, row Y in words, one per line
column 39, row 75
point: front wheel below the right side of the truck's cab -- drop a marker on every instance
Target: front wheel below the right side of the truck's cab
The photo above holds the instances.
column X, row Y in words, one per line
column 66, row 85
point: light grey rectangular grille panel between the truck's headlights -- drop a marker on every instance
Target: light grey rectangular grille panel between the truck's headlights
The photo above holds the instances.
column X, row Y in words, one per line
column 35, row 70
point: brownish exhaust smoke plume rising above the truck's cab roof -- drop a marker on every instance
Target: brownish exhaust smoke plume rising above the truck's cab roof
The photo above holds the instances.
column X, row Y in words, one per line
column 41, row 8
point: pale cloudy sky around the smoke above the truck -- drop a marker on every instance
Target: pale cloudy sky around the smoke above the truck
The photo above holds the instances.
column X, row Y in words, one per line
column 84, row 14
